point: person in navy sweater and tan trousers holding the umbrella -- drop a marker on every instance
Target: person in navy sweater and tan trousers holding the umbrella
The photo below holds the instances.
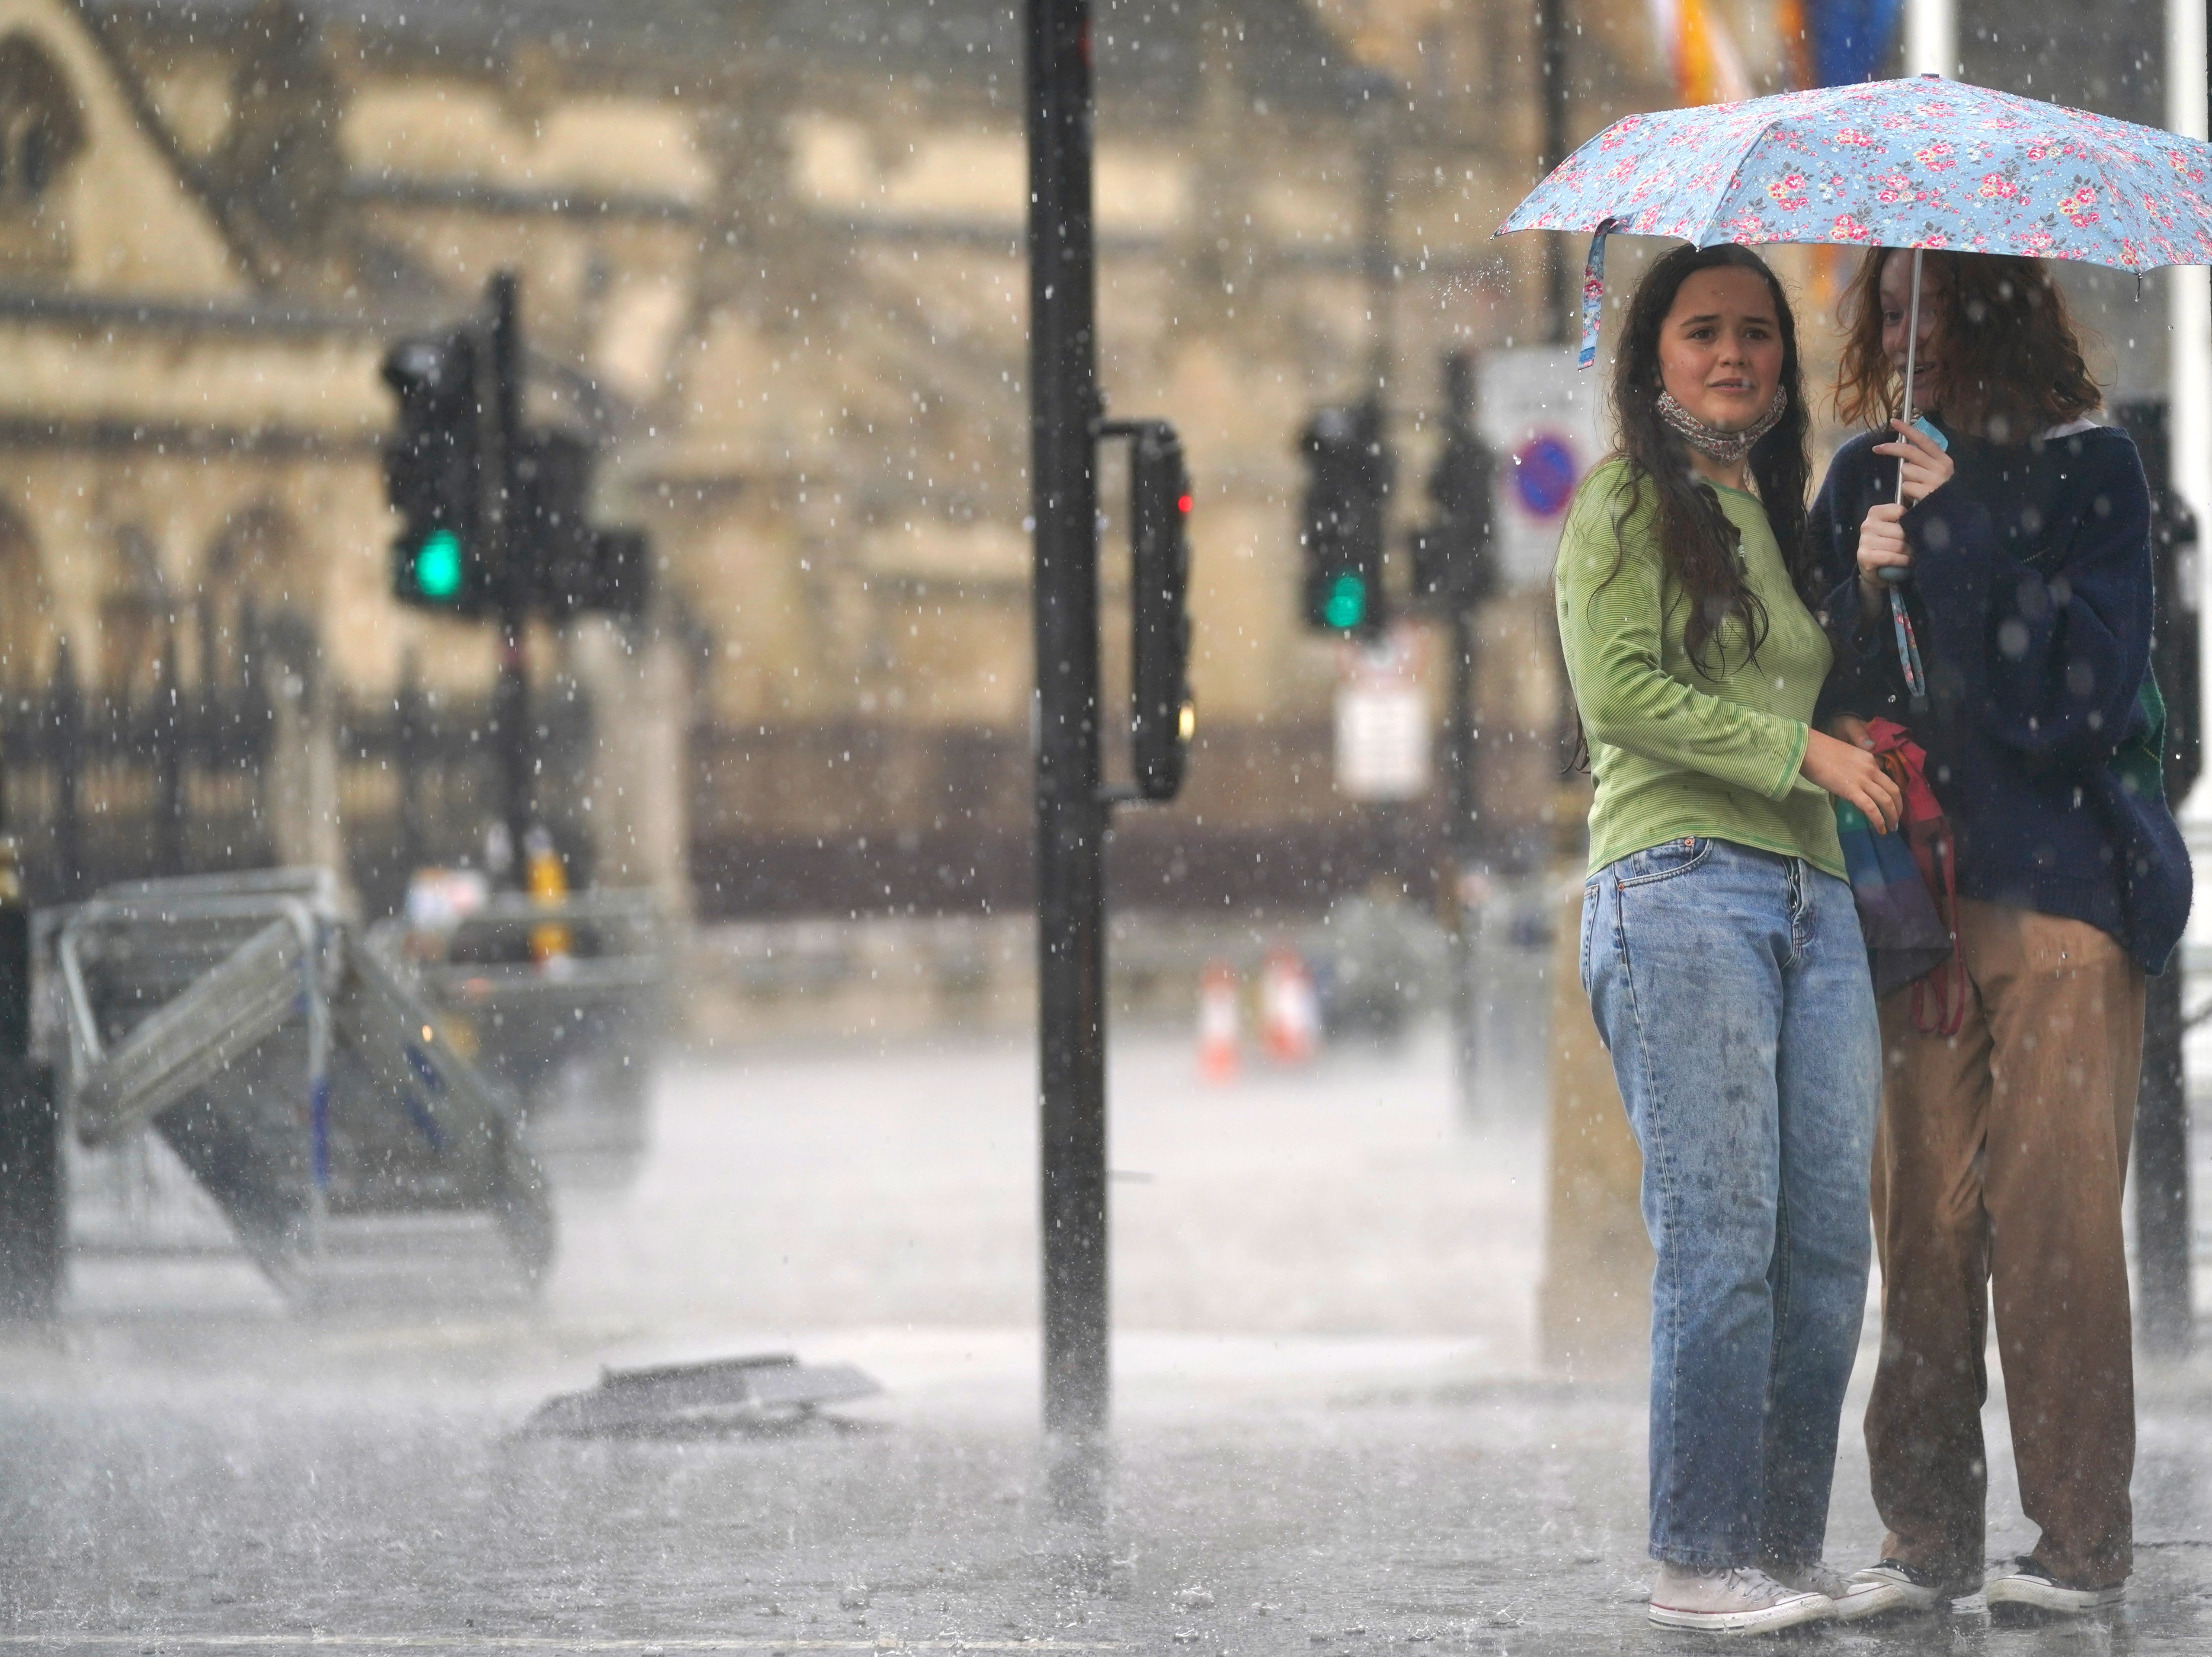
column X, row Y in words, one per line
column 2010, row 1101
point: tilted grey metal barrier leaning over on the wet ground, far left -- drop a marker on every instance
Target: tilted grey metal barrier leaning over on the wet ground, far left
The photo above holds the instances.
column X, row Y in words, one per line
column 291, row 1072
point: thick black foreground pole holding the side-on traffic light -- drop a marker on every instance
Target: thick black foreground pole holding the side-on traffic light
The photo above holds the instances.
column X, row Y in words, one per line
column 1072, row 813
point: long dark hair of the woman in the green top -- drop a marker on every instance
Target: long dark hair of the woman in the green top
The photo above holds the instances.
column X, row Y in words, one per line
column 1698, row 545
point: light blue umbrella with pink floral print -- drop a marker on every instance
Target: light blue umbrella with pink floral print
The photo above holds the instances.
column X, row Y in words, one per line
column 1919, row 165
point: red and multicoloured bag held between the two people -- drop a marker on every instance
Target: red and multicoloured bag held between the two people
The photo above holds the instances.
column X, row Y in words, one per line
column 1906, row 888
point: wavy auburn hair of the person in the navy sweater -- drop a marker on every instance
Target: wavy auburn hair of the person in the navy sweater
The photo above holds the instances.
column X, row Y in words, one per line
column 2012, row 353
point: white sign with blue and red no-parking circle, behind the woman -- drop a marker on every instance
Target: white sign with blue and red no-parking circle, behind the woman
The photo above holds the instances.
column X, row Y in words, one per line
column 1538, row 413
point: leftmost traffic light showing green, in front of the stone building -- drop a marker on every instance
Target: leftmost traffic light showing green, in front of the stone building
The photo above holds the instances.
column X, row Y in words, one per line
column 432, row 477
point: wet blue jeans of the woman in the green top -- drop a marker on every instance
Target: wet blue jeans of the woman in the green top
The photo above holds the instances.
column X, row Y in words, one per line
column 1733, row 992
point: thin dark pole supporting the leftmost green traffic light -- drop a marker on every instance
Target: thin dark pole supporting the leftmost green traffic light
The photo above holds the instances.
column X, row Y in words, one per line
column 510, row 556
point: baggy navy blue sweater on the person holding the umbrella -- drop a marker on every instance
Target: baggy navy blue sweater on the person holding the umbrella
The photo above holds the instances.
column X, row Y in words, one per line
column 2032, row 601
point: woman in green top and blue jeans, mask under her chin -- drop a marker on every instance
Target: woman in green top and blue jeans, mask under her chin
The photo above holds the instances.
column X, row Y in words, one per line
column 1720, row 946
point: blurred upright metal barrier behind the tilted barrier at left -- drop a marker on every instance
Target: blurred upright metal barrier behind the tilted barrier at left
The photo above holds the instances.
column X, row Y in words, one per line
column 574, row 1034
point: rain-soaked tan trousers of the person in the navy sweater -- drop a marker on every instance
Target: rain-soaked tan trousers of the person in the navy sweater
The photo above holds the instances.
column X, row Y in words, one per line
column 2001, row 1163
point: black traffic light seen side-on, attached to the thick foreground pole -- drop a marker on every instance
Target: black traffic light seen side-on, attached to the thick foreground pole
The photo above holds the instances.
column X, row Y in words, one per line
column 1162, row 718
